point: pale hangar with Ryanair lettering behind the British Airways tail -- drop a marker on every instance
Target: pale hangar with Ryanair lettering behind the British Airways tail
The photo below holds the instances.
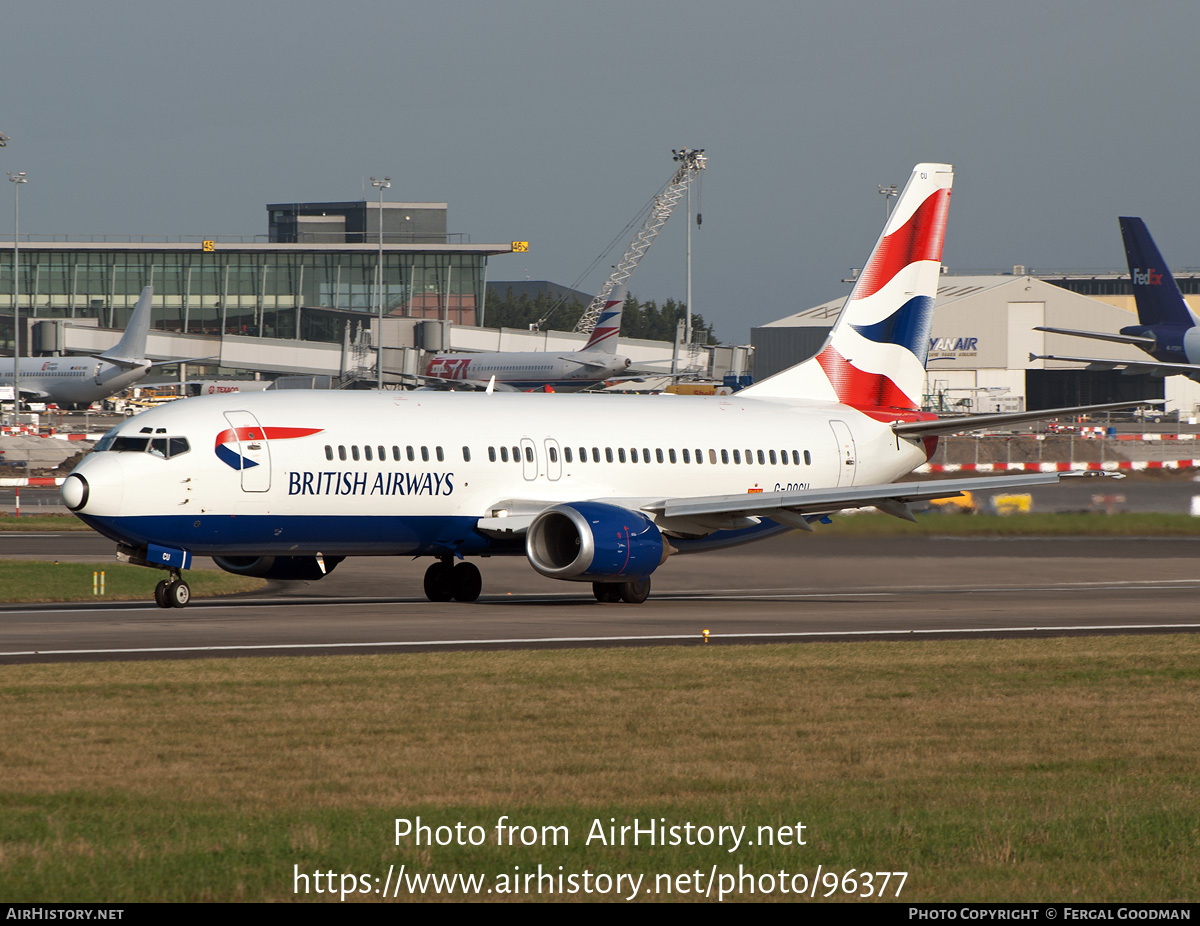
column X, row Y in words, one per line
column 983, row 336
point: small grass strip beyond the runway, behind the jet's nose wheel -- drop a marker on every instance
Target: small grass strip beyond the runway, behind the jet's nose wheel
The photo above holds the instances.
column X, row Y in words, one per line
column 38, row 581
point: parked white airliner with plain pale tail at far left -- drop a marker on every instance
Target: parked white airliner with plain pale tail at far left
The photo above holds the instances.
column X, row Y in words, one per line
column 83, row 381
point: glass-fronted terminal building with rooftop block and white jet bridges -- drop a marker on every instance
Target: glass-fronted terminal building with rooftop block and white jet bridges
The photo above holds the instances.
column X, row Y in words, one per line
column 299, row 300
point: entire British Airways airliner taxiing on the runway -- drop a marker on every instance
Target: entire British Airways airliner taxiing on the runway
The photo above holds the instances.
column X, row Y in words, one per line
column 590, row 489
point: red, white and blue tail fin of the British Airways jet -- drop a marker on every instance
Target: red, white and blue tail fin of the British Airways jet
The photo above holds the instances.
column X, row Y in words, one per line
column 875, row 356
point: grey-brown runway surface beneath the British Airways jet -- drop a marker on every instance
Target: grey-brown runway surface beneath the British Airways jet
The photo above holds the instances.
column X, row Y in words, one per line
column 793, row 588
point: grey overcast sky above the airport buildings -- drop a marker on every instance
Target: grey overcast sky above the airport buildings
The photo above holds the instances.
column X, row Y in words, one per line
column 554, row 123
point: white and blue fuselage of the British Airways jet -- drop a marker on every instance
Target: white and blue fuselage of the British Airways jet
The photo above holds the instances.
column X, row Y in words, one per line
column 394, row 473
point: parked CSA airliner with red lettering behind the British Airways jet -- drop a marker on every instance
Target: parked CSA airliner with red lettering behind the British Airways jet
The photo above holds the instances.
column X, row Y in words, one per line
column 563, row 370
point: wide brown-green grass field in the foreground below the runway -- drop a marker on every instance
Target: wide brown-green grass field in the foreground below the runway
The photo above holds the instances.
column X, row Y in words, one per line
column 1039, row 771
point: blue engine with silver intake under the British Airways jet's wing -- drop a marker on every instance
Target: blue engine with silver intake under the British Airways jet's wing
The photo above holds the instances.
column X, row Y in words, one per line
column 591, row 542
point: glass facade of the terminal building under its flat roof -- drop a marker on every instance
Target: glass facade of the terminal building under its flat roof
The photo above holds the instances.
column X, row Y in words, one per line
column 281, row 291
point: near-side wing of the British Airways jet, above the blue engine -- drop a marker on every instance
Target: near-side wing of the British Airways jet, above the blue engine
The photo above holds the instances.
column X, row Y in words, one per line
column 709, row 514
